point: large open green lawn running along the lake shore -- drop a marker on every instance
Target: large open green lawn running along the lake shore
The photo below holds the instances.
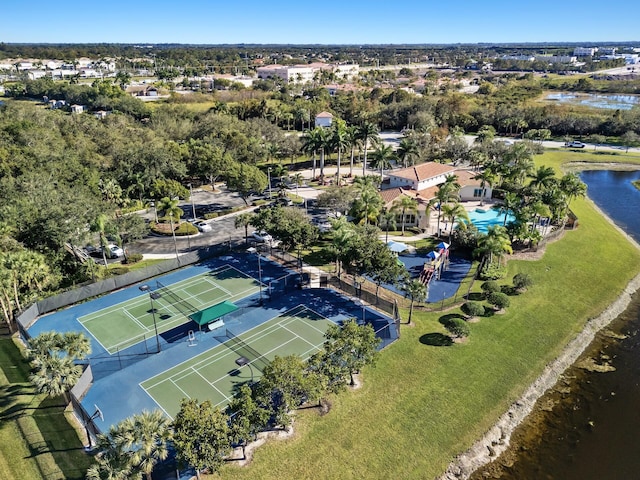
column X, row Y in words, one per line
column 423, row 403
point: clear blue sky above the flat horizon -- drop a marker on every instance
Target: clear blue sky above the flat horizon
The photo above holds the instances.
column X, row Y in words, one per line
column 319, row 22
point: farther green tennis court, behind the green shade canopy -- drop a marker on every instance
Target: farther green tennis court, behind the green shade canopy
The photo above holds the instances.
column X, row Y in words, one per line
column 127, row 323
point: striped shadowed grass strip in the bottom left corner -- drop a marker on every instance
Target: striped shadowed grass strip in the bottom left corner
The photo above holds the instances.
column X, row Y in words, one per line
column 36, row 439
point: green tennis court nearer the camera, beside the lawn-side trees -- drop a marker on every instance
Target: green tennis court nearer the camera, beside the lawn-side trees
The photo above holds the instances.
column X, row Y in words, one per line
column 213, row 374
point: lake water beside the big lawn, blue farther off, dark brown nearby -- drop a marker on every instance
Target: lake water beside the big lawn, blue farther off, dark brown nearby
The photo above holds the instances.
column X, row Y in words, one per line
column 591, row 433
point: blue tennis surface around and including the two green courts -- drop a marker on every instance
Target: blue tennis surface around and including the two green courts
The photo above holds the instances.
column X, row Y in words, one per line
column 125, row 381
